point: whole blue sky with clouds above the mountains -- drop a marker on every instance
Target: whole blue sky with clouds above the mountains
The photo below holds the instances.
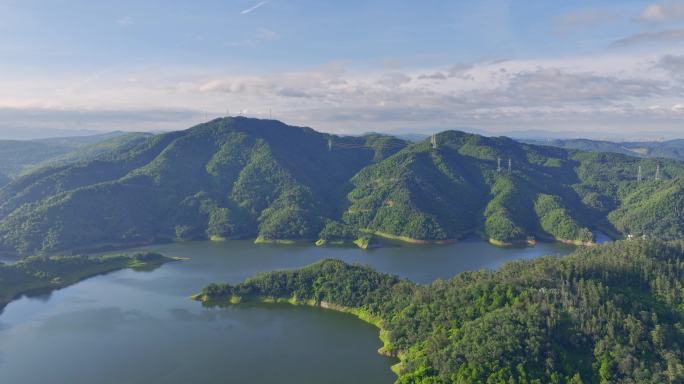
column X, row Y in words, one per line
column 578, row 68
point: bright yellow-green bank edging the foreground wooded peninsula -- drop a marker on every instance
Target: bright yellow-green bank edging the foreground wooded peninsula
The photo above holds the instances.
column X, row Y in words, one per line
column 384, row 350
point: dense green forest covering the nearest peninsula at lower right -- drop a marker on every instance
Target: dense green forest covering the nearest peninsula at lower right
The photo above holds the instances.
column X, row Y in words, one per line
column 606, row 314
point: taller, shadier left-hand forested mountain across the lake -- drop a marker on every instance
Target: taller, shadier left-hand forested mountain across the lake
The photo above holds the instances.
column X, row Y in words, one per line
column 227, row 178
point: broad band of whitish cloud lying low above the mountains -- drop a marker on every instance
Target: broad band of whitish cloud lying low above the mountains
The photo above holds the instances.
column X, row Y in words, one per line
column 615, row 91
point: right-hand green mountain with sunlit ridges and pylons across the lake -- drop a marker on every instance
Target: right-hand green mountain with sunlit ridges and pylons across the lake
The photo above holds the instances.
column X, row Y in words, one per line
column 464, row 185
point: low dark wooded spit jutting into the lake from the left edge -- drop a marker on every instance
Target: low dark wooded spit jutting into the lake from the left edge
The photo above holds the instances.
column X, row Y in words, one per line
column 40, row 274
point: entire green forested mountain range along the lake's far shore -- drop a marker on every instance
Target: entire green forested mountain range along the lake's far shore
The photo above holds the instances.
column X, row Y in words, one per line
column 240, row 177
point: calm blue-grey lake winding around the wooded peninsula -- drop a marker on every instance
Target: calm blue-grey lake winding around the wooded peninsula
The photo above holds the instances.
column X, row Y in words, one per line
column 141, row 327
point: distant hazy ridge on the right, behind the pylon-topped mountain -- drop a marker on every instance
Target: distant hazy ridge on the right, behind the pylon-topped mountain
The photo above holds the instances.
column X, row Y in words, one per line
column 672, row 149
